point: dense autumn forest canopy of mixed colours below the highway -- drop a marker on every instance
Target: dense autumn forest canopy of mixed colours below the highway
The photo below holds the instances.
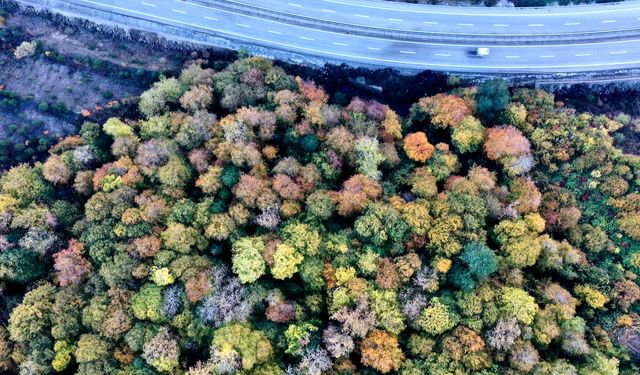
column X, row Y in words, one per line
column 247, row 226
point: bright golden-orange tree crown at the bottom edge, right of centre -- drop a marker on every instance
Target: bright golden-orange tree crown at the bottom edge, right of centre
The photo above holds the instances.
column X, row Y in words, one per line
column 381, row 350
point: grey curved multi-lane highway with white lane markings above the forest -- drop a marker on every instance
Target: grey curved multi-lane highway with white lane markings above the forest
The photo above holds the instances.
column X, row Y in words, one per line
column 409, row 36
